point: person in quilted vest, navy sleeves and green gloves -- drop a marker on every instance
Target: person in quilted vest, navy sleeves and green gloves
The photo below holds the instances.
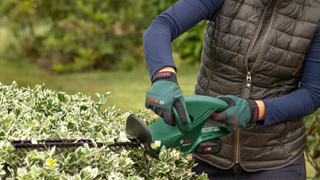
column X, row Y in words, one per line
column 260, row 56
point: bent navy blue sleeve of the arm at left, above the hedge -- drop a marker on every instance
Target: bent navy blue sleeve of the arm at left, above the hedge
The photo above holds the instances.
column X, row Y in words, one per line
column 179, row 18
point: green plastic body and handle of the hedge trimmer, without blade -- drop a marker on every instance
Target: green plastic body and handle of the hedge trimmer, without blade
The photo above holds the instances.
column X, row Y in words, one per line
column 189, row 136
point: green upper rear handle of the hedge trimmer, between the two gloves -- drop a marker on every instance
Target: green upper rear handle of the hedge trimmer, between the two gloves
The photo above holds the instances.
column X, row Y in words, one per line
column 199, row 107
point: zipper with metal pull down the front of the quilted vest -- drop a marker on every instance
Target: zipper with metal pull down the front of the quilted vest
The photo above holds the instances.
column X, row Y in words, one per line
column 247, row 88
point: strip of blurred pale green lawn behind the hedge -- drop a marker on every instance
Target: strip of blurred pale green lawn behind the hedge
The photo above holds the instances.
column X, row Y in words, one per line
column 127, row 88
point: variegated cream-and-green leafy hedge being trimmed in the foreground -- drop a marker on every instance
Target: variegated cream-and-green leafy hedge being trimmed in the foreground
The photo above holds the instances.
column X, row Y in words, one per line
column 40, row 113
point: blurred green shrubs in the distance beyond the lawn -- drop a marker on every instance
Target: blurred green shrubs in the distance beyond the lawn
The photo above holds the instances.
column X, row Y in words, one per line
column 84, row 35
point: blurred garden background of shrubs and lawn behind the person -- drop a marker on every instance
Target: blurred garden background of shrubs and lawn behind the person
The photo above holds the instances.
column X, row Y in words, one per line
column 94, row 46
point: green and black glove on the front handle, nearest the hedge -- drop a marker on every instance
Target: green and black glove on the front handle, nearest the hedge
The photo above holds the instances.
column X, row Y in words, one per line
column 163, row 95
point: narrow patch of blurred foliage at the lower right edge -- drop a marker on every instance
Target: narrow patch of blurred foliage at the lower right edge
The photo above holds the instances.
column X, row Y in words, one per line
column 312, row 123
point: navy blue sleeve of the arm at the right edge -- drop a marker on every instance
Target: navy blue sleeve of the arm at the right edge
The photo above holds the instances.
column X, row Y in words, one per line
column 304, row 100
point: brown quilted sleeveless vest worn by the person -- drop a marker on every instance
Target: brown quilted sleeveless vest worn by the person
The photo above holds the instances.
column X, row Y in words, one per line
column 256, row 49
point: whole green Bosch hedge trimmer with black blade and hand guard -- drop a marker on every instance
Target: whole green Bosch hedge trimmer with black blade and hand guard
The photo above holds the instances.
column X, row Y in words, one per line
column 192, row 137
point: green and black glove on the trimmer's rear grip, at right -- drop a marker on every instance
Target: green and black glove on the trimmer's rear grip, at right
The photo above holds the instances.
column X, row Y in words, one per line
column 239, row 113
